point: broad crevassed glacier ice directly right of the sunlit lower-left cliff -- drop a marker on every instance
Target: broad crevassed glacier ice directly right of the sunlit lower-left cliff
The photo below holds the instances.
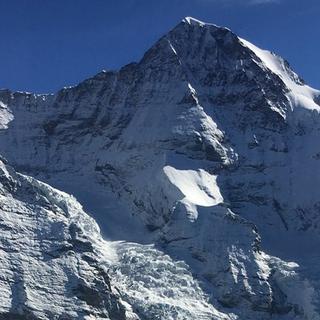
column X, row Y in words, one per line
column 159, row 287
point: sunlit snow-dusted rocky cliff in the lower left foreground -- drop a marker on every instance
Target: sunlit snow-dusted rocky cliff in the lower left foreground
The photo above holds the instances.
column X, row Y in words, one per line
column 53, row 260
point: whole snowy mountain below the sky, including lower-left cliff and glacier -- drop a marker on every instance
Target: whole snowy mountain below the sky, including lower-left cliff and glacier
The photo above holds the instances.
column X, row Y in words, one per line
column 200, row 163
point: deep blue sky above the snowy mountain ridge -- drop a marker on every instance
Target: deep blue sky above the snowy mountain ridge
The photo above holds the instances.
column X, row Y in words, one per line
column 48, row 44
